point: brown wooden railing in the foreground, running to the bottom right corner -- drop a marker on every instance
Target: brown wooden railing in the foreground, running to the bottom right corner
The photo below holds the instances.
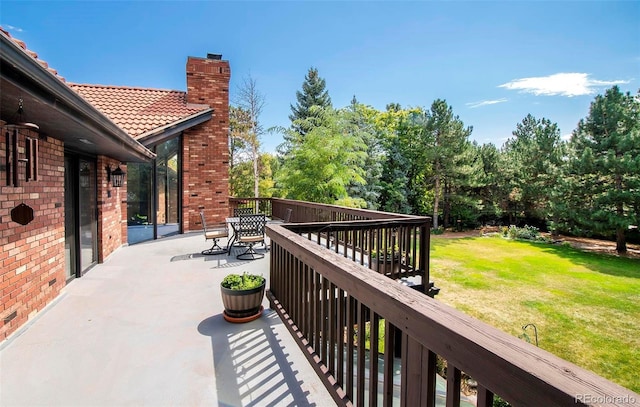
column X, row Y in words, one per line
column 349, row 321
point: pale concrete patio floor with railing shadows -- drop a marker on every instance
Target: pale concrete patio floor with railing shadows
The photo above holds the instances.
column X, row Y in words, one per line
column 145, row 328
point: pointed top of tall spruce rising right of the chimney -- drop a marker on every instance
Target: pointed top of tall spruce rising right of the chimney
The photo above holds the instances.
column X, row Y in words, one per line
column 313, row 94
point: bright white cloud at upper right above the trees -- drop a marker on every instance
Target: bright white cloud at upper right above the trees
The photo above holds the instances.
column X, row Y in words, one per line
column 562, row 84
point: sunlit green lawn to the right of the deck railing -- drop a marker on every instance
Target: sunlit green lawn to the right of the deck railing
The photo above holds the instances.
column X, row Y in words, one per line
column 586, row 306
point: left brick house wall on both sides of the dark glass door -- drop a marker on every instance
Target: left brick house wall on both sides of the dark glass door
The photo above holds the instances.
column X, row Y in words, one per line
column 32, row 257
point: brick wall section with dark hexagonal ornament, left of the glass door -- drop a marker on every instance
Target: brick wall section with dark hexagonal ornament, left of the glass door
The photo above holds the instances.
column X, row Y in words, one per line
column 32, row 257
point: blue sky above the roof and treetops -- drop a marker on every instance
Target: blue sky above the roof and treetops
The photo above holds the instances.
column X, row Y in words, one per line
column 493, row 62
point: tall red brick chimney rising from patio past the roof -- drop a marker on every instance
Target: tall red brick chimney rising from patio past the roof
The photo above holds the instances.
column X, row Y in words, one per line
column 205, row 146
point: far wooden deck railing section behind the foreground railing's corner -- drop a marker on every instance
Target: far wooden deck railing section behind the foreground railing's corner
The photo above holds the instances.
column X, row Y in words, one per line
column 388, row 243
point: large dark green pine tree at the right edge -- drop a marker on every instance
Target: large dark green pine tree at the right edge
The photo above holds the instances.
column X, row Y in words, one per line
column 604, row 171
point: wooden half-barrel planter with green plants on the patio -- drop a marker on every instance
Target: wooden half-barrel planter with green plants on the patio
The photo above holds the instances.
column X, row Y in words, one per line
column 240, row 304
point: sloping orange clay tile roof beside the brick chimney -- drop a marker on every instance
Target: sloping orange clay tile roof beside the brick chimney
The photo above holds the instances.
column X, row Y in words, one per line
column 138, row 110
